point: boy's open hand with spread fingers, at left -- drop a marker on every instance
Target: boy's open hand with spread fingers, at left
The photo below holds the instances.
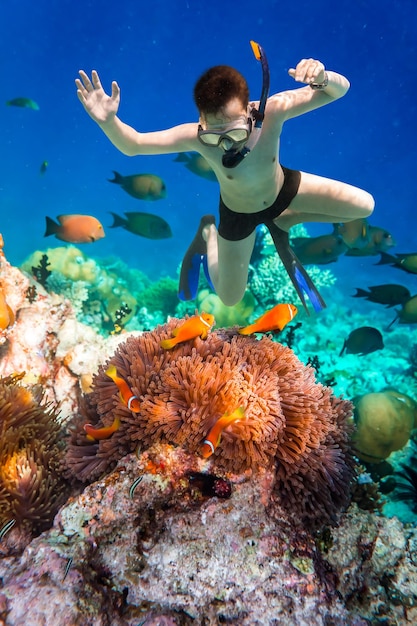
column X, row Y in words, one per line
column 101, row 107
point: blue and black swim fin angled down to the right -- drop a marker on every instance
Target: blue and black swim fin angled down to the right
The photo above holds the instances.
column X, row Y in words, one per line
column 298, row 275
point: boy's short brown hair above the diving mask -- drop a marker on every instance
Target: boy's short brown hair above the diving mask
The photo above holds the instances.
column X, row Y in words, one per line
column 217, row 86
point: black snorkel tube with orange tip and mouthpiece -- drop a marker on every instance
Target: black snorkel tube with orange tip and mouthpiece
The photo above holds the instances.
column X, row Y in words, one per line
column 233, row 158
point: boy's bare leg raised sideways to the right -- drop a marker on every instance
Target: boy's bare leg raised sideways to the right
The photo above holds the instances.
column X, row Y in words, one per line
column 322, row 199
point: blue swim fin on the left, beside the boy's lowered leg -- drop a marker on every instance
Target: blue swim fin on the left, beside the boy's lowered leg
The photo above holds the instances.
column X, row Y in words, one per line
column 195, row 256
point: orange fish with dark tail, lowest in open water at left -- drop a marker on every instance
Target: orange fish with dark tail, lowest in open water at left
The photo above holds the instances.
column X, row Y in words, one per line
column 75, row 228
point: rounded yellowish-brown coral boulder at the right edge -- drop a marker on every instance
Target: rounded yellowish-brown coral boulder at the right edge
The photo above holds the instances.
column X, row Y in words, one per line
column 384, row 422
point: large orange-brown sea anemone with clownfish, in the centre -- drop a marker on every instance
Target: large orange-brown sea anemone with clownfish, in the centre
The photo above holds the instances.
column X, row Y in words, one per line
column 291, row 421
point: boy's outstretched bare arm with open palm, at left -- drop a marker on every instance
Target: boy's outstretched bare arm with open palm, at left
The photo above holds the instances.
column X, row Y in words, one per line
column 103, row 108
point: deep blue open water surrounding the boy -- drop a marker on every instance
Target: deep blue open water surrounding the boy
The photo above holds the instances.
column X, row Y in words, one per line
column 156, row 51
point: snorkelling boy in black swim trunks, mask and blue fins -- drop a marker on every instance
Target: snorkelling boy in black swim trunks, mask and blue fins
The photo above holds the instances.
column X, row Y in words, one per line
column 240, row 141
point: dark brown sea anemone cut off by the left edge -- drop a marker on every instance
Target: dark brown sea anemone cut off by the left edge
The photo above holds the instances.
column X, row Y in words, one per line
column 31, row 482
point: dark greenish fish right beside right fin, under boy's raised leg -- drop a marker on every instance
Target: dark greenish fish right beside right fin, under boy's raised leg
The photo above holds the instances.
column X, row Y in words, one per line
column 318, row 250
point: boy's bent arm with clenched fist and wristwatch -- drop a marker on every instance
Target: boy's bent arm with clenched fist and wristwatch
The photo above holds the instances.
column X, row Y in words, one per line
column 292, row 103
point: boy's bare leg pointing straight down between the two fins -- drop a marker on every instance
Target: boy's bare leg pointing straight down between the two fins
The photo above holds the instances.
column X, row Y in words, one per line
column 228, row 263
